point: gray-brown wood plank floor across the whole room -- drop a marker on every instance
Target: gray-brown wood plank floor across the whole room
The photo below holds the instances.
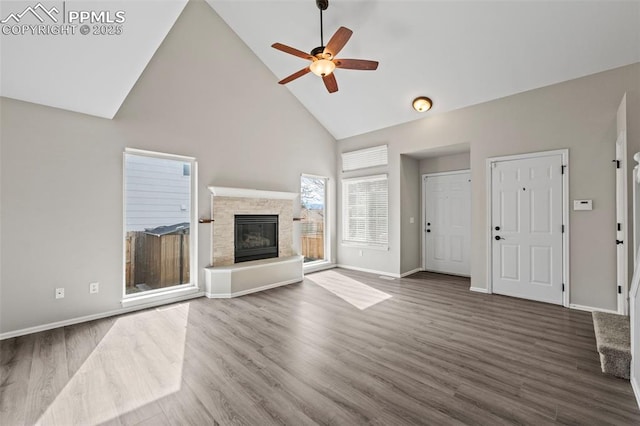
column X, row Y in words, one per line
column 433, row 353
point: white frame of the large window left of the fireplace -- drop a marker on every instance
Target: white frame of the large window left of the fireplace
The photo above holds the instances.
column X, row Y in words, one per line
column 179, row 291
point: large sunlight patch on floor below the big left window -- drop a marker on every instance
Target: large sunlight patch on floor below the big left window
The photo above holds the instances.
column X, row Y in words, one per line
column 138, row 361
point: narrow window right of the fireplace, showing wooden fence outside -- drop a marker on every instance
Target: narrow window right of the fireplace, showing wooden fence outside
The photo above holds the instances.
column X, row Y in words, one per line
column 313, row 196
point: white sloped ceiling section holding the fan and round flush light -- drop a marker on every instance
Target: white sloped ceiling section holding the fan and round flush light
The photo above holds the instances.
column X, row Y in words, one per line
column 458, row 53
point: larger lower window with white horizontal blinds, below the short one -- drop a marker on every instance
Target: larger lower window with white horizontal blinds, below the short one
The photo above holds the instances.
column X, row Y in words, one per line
column 365, row 211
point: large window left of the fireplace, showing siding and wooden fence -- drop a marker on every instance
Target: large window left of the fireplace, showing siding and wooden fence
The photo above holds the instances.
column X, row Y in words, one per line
column 159, row 209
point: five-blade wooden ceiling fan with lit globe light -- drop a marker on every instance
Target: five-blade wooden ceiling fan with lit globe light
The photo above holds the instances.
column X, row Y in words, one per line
column 323, row 58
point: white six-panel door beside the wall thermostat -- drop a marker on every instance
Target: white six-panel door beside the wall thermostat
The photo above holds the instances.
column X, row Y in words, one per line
column 526, row 222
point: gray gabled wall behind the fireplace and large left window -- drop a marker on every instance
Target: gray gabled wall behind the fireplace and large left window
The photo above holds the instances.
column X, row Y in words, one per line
column 204, row 94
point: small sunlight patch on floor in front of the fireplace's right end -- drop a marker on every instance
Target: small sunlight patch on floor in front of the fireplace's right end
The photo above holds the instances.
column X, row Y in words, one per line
column 352, row 291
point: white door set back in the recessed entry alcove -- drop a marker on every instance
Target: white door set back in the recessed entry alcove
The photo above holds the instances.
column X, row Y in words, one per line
column 447, row 228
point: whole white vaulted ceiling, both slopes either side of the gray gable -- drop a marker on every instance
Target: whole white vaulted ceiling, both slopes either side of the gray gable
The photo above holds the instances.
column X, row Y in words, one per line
column 459, row 53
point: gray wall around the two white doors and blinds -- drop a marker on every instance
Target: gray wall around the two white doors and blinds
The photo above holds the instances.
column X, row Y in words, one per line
column 579, row 115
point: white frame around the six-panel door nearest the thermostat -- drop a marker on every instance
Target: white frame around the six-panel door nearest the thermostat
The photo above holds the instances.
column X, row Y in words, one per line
column 564, row 153
